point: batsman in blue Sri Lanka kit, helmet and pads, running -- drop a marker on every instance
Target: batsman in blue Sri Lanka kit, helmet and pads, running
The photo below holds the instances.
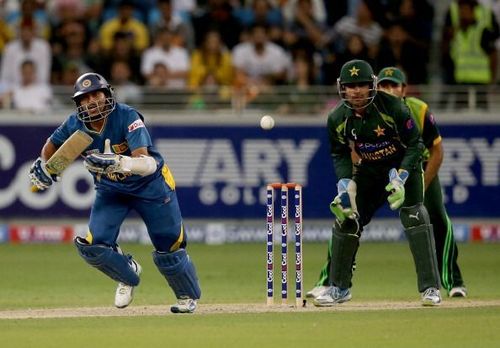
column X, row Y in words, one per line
column 129, row 174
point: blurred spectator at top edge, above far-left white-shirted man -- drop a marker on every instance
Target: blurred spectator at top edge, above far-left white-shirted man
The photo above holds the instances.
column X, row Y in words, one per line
column 33, row 14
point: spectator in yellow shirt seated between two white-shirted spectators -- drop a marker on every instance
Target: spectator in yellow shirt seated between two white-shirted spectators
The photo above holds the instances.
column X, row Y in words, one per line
column 211, row 64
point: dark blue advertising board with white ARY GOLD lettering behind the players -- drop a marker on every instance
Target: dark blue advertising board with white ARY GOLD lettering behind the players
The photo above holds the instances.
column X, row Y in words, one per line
column 221, row 171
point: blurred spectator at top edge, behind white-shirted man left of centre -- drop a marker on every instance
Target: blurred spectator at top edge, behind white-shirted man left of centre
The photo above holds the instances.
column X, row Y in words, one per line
column 164, row 17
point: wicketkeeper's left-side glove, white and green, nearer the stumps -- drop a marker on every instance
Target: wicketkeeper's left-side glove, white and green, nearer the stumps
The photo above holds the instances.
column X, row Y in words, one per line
column 344, row 204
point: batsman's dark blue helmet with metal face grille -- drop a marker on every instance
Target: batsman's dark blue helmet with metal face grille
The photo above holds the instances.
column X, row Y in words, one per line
column 90, row 82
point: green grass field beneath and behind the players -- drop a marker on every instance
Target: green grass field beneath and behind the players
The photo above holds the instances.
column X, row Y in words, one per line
column 54, row 276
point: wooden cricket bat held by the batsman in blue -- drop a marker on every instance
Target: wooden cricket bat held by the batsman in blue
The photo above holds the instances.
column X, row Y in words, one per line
column 67, row 153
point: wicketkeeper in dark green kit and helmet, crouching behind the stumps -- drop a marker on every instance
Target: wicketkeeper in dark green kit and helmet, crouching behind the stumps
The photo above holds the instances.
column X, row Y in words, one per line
column 379, row 129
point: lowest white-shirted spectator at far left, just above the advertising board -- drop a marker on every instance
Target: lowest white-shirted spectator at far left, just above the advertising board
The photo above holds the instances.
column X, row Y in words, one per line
column 31, row 95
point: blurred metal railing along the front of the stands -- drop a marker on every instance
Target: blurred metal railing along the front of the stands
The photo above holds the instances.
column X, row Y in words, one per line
column 283, row 100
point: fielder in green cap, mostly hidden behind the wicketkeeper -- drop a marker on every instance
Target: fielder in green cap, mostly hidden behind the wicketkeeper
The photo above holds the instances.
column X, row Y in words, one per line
column 392, row 80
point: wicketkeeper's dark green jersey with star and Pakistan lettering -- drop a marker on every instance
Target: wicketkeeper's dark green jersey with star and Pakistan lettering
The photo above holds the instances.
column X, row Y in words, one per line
column 386, row 136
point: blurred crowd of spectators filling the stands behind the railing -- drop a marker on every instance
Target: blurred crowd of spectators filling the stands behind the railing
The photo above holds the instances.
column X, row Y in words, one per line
column 231, row 46
